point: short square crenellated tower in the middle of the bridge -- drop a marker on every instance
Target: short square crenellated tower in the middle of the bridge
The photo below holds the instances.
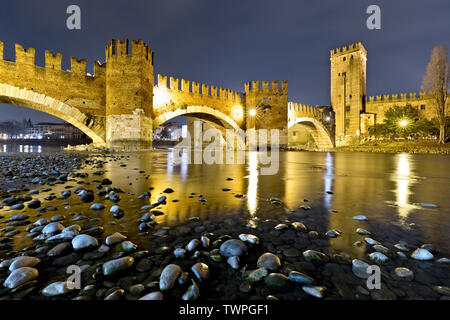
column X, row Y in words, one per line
column 267, row 107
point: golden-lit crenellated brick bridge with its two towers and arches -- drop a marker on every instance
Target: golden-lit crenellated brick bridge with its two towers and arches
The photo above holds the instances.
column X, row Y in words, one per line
column 120, row 105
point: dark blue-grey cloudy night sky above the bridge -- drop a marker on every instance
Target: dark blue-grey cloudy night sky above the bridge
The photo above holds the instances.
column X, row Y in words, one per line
column 227, row 43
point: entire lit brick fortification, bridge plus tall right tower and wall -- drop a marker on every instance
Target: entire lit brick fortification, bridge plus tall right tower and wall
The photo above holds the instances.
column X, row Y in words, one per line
column 121, row 104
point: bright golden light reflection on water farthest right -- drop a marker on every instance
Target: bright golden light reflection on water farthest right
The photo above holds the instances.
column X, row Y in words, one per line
column 402, row 178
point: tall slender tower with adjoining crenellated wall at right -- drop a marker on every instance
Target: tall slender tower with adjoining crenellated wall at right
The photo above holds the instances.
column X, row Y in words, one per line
column 354, row 111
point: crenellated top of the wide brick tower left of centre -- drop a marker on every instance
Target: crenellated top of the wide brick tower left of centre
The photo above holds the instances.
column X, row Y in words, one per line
column 119, row 48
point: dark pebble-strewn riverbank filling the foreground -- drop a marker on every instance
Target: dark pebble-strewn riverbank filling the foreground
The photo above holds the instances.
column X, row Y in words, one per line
column 68, row 212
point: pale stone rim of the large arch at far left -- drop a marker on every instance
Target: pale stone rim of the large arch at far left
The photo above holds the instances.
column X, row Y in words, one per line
column 30, row 99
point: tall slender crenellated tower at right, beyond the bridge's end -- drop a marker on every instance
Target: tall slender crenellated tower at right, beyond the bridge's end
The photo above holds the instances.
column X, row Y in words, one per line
column 348, row 91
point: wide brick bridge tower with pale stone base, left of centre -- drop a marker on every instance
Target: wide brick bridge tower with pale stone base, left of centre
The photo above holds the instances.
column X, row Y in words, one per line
column 129, row 94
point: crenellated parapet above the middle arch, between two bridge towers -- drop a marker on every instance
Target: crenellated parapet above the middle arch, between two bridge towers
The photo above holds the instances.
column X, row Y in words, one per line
column 194, row 88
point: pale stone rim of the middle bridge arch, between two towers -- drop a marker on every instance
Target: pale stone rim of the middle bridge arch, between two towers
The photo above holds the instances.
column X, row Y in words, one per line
column 210, row 115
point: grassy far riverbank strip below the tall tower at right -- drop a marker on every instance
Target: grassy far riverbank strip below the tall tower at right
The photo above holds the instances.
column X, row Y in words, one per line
column 416, row 147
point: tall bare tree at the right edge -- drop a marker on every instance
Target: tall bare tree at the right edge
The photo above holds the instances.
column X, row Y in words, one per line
column 436, row 82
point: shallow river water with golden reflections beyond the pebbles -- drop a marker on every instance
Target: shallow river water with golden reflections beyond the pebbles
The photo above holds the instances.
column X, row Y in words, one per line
column 386, row 188
